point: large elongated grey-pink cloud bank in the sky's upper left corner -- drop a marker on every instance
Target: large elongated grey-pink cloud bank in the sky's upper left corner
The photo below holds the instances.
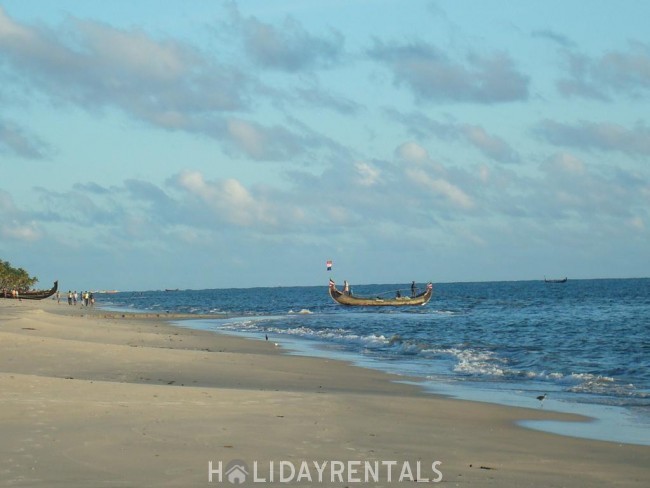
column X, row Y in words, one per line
column 90, row 64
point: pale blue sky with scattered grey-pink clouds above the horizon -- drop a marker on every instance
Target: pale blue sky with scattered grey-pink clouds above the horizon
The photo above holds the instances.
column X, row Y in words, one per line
column 214, row 144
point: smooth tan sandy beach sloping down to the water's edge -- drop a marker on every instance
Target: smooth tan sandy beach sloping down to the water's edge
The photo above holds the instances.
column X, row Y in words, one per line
column 90, row 398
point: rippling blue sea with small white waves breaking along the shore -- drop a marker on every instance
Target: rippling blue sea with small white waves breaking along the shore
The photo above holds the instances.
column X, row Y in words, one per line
column 585, row 344
